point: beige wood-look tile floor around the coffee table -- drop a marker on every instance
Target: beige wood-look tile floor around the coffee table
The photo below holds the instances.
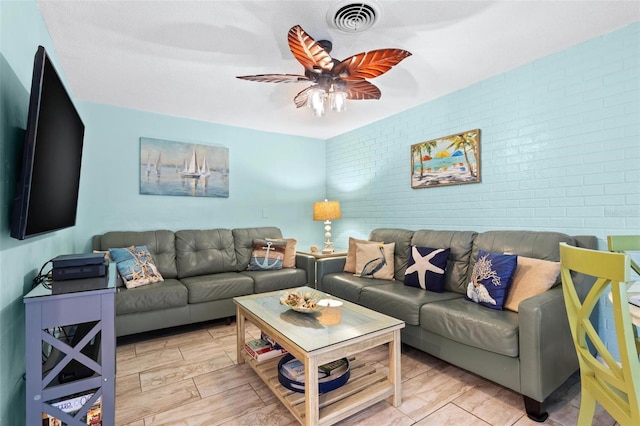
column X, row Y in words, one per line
column 189, row 376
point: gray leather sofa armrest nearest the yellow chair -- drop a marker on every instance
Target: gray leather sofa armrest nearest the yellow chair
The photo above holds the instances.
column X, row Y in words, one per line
column 547, row 354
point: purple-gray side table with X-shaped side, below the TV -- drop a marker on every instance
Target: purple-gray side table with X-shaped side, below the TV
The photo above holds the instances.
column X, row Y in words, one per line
column 90, row 316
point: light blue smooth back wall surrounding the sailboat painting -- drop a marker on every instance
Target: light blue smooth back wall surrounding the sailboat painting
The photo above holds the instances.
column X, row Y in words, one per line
column 273, row 178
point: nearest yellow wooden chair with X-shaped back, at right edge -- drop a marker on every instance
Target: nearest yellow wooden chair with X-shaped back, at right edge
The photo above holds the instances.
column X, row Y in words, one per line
column 615, row 385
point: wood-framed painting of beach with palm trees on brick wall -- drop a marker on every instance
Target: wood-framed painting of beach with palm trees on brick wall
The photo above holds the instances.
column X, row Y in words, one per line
column 451, row 160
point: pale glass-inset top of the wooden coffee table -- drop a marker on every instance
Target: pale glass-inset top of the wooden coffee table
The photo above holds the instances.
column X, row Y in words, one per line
column 305, row 330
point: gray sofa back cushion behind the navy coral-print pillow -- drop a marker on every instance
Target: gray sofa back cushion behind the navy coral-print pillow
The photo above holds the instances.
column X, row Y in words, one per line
column 535, row 244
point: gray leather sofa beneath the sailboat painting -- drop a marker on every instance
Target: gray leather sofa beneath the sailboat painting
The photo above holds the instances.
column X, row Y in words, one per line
column 203, row 271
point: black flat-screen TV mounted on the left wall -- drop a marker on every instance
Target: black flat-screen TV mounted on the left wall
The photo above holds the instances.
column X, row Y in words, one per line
column 46, row 195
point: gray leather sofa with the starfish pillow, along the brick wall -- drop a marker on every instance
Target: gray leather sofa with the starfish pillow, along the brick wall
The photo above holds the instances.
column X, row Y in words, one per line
column 529, row 351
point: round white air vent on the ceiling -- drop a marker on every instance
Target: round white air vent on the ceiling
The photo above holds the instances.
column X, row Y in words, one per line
column 354, row 17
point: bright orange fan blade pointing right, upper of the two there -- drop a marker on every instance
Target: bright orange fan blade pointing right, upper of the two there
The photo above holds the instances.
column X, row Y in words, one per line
column 369, row 64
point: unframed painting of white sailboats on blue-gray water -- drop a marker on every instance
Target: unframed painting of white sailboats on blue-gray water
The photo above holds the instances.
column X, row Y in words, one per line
column 183, row 169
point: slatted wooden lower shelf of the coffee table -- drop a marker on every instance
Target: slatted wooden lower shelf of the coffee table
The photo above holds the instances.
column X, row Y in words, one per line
column 365, row 386
